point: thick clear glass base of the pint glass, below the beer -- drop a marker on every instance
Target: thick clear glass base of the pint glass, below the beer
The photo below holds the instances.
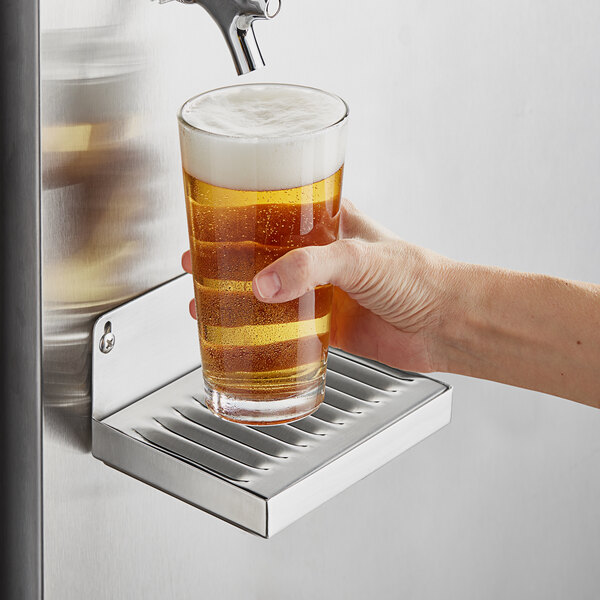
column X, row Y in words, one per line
column 264, row 412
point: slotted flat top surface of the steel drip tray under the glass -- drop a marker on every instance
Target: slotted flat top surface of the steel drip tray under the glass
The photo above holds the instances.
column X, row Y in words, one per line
column 360, row 402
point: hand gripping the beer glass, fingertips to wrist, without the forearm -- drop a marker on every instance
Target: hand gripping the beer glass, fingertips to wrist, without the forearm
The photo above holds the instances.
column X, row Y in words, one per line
column 388, row 300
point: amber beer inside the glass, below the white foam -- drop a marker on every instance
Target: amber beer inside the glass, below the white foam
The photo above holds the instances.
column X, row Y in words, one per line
column 250, row 349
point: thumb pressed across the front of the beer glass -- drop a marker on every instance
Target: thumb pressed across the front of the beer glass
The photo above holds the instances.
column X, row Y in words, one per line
column 299, row 271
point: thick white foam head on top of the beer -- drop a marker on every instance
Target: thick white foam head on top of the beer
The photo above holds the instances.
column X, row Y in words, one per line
column 263, row 136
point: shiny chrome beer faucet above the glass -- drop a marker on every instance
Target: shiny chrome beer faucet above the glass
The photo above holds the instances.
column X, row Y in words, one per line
column 235, row 19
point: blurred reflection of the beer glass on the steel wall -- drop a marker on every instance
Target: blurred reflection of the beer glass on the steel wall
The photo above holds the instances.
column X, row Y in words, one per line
column 102, row 198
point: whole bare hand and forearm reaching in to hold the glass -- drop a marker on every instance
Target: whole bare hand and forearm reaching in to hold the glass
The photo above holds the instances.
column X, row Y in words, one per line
column 410, row 308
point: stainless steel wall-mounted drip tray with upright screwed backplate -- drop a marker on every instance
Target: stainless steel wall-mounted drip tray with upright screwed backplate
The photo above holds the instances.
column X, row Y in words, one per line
column 258, row 478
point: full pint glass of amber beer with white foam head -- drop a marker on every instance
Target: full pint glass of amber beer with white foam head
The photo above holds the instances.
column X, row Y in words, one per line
column 262, row 167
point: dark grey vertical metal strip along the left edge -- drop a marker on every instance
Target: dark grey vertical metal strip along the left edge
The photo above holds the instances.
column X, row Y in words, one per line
column 20, row 329
